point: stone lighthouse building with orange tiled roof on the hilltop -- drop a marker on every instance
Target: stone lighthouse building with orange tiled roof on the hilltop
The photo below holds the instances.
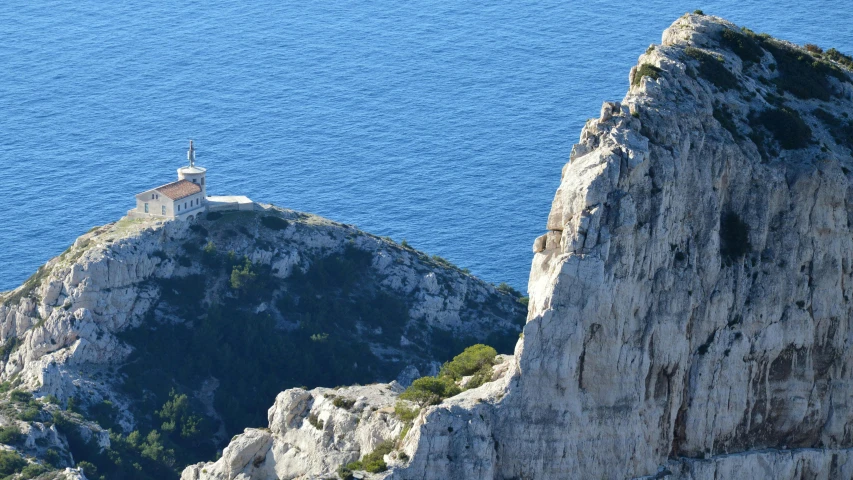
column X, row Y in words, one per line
column 186, row 198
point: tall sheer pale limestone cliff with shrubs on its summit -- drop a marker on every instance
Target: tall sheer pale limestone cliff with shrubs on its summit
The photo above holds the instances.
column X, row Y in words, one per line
column 690, row 311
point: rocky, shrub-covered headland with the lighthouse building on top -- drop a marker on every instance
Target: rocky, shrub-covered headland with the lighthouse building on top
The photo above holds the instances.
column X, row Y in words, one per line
column 190, row 329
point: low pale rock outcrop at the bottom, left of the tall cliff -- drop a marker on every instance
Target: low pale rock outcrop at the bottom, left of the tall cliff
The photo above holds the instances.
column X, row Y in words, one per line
column 310, row 434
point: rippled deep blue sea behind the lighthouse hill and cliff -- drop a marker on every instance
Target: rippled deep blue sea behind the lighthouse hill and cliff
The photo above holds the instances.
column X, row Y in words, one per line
column 442, row 122
